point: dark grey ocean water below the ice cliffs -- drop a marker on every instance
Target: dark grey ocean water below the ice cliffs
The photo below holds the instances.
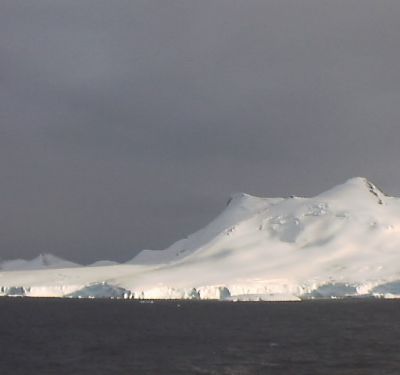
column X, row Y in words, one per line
column 56, row 336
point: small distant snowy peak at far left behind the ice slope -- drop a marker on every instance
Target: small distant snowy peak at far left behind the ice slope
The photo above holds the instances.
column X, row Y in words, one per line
column 43, row 261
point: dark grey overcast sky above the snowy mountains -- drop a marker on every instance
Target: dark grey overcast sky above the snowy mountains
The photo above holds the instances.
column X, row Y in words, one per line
column 127, row 124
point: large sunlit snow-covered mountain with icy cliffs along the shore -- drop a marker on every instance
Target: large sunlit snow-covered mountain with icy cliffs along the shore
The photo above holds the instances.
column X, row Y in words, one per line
column 343, row 242
